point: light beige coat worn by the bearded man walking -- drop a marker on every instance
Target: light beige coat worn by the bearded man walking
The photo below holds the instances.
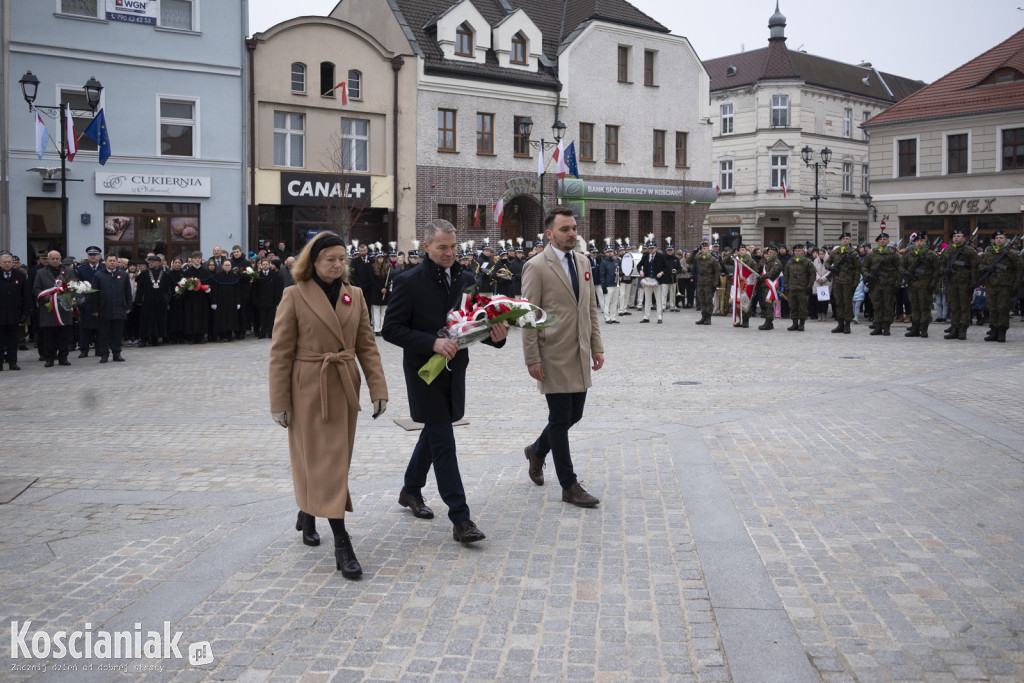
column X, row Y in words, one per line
column 566, row 348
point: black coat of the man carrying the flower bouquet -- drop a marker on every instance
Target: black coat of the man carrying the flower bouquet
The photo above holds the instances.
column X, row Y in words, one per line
column 416, row 313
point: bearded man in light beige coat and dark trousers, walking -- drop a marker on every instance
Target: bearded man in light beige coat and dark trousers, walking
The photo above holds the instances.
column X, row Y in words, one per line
column 561, row 358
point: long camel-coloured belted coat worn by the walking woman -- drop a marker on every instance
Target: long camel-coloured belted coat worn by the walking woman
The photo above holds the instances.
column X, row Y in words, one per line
column 314, row 376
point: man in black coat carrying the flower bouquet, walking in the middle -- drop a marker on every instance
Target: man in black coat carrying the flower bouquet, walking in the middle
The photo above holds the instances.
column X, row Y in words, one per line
column 420, row 303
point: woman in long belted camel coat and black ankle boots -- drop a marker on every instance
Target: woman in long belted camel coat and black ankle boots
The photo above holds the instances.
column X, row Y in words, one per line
column 321, row 329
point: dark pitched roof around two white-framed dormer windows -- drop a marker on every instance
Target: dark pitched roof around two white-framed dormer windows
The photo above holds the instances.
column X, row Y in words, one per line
column 420, row 18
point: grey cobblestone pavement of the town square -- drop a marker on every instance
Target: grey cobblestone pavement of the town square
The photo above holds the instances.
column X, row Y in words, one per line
column 776, row 507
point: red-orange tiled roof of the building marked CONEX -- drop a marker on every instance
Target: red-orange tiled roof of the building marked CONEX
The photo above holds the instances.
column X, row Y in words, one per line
column 962, row 91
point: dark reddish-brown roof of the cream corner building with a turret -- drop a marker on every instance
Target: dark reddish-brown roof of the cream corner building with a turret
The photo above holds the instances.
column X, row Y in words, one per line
column 767, row 64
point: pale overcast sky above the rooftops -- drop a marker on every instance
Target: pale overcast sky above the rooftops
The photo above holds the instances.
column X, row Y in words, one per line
column 920, row 39
